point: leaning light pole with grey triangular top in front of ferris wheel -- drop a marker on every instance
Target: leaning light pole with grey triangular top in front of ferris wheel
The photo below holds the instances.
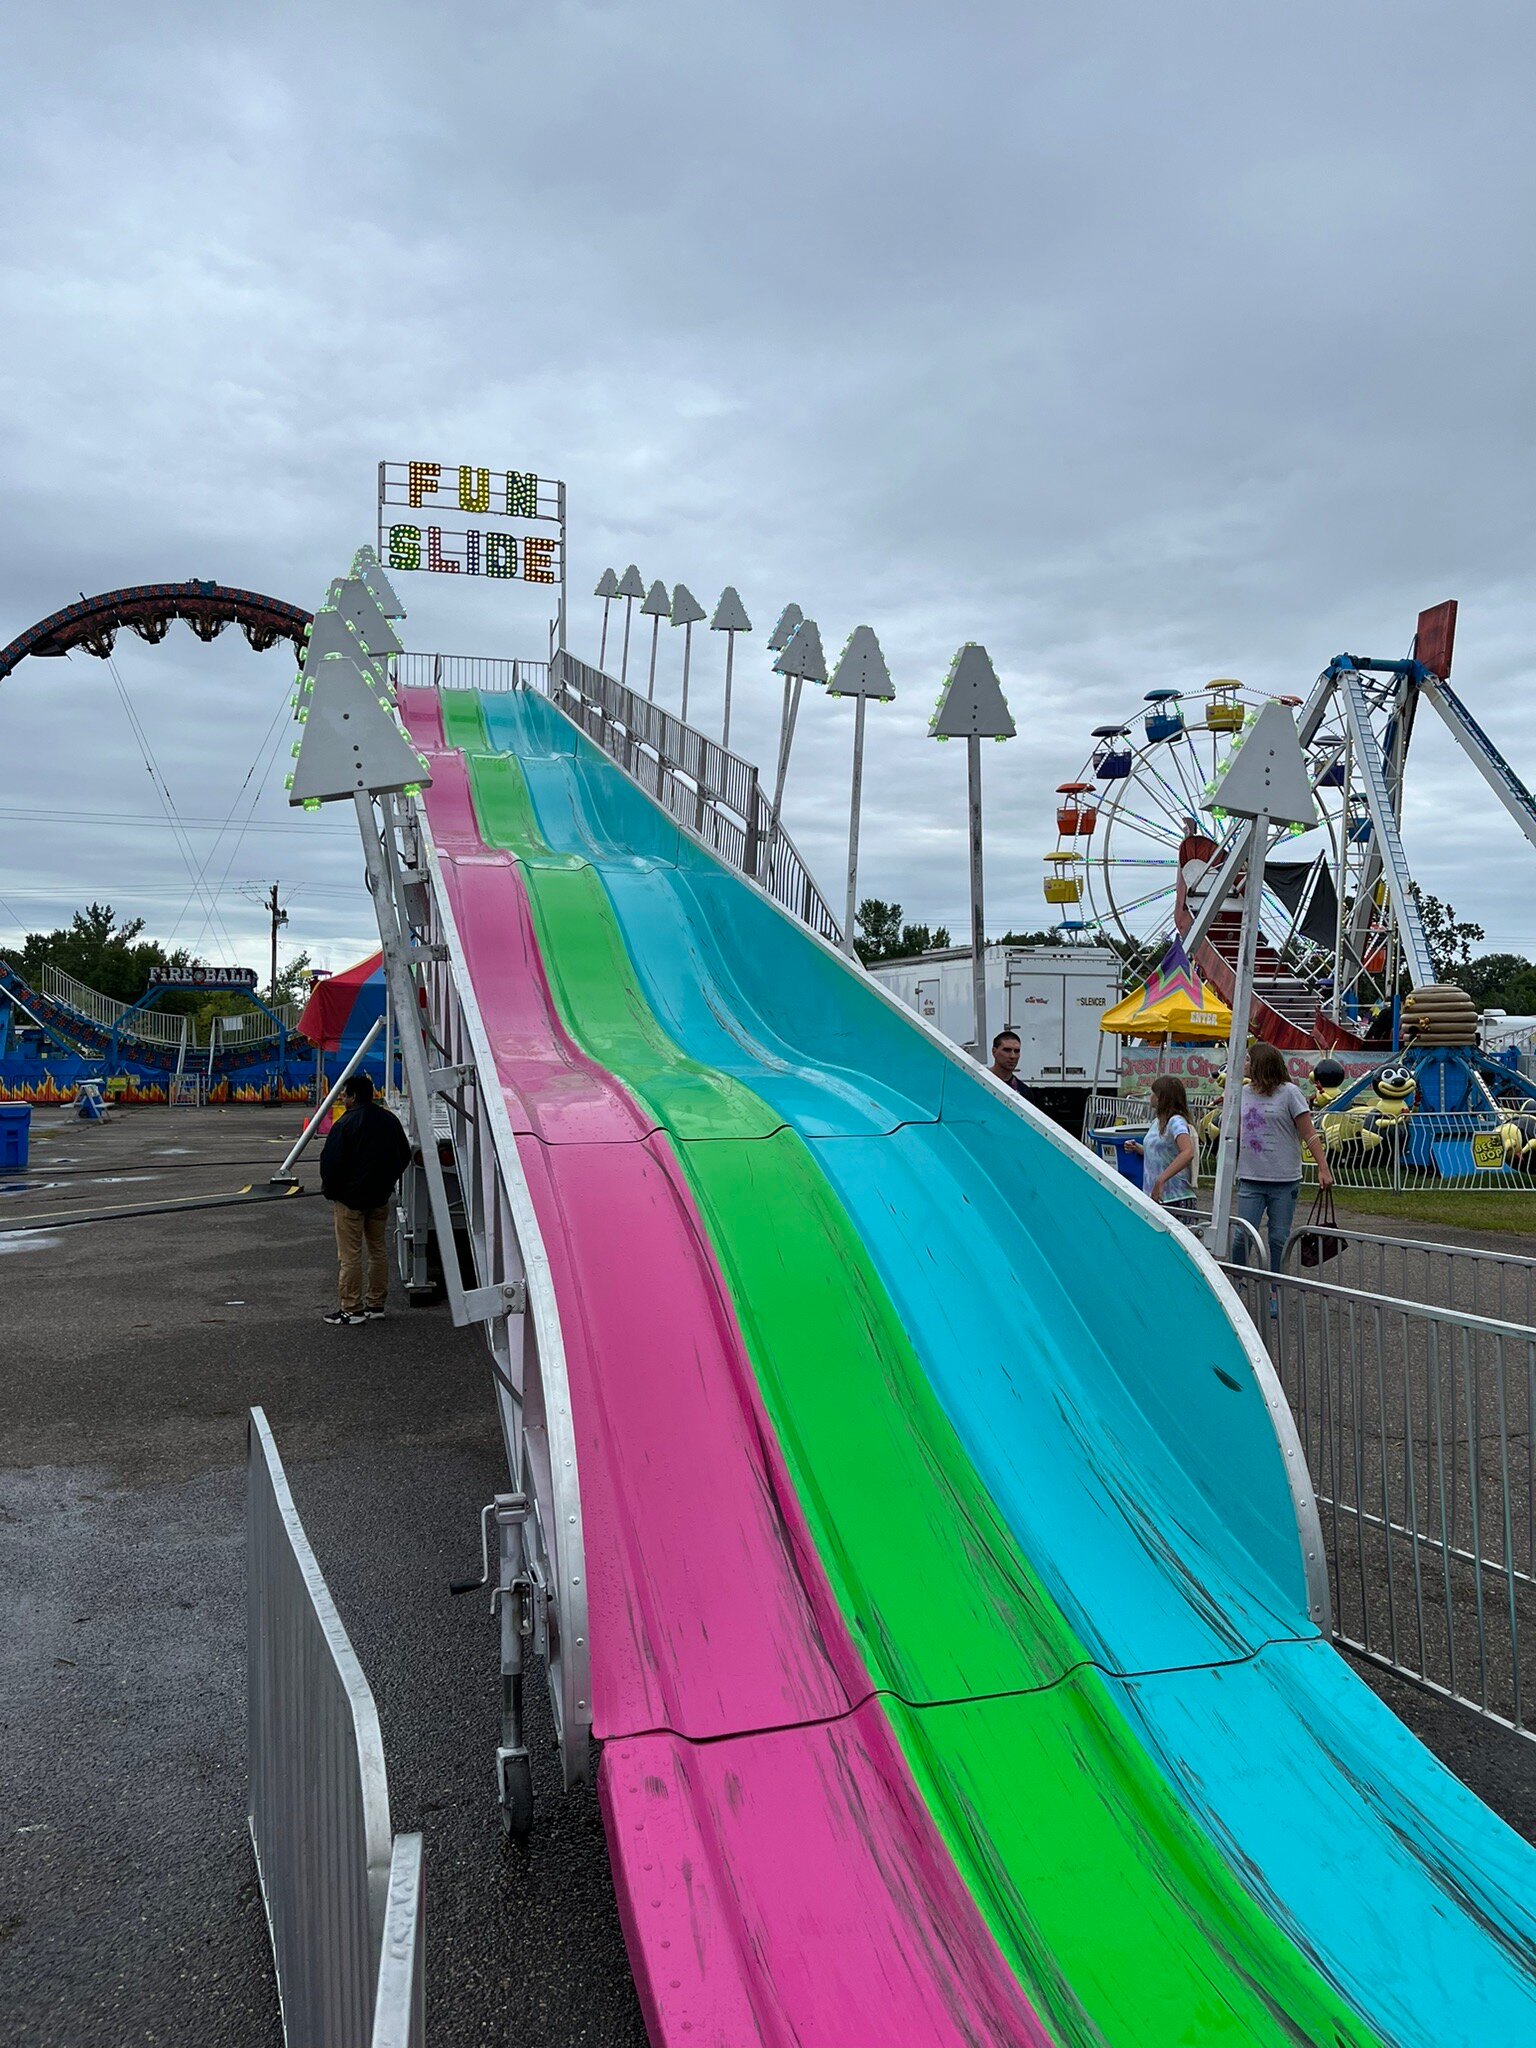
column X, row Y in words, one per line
column 1265, row 783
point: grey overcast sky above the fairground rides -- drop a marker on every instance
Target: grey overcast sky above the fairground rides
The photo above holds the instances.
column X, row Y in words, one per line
column 1144, row 345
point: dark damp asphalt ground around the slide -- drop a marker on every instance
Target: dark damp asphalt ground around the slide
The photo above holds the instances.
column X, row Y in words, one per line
column 134, row 1349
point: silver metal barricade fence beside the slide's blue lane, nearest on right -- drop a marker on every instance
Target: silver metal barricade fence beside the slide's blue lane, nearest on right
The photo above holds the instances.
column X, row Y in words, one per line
column 1418, row 1433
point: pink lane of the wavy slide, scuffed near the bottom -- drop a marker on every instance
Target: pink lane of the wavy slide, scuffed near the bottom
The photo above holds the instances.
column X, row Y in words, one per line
column 777, row 1875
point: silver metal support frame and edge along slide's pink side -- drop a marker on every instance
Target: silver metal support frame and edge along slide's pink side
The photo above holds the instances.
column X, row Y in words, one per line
column 531, row 1537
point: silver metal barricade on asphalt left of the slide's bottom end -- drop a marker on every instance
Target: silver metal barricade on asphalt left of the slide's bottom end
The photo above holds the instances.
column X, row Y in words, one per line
column 318, row 1795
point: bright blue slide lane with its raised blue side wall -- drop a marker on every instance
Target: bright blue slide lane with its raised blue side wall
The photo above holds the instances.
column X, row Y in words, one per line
column 1105, row 1396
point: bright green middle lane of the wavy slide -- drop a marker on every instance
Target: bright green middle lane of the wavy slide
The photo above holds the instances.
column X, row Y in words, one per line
column 1107, row 1897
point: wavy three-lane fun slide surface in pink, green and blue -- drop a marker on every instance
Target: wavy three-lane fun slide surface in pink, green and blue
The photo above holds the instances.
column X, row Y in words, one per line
column 955, row 1582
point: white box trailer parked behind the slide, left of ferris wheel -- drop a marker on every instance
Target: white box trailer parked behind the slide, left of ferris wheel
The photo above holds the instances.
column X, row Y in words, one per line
column 1052, row 996
